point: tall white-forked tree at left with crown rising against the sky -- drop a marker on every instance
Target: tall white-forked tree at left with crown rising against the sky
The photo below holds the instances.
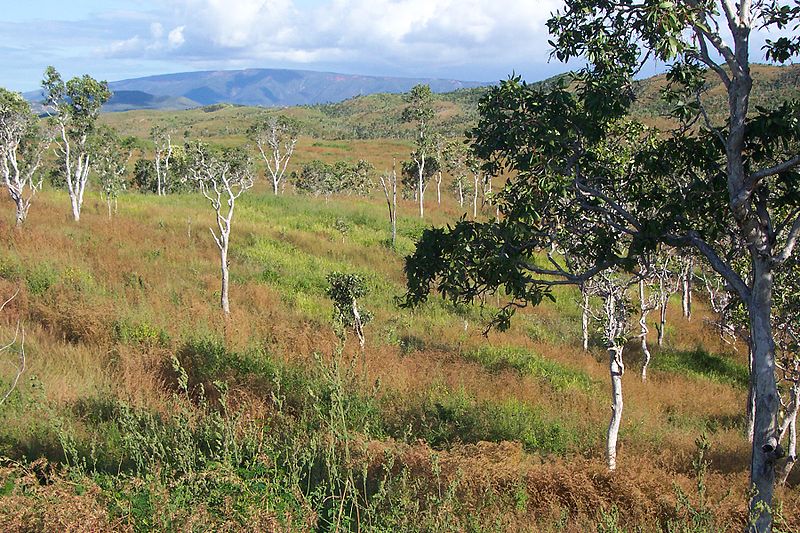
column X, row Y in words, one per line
column 74, row 106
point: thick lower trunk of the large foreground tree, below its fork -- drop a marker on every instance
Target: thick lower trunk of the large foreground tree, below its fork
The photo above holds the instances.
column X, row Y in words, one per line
column 766, row 448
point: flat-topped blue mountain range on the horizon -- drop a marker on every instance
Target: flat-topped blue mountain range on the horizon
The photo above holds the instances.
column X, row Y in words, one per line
column 256, row 87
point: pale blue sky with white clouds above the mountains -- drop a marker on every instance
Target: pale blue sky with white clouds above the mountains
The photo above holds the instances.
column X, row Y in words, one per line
column 483, row 40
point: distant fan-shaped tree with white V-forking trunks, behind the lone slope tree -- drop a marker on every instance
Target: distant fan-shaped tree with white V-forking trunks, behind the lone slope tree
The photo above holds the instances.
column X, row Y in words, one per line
column 276, row 138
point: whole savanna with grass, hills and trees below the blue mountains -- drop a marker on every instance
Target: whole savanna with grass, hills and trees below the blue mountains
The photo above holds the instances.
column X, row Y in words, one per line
column 288, row 370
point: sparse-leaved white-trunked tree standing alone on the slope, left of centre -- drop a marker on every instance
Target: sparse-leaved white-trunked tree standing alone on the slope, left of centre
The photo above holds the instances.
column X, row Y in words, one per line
column 222, row 178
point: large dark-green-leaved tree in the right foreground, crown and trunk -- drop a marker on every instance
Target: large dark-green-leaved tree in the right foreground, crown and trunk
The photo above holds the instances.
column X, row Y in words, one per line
column 580, row 165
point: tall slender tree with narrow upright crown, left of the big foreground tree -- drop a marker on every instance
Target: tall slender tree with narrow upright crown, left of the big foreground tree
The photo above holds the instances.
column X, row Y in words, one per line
column 420, row 112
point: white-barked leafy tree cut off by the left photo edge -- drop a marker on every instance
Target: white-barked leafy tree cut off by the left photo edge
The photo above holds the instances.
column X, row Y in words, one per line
column 21, row 149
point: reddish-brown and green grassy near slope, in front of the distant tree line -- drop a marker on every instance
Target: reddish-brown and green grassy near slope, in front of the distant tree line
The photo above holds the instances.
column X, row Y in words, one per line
column 106, row 306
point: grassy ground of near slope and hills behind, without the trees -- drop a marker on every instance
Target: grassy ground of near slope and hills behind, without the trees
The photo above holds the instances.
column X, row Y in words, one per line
column 141, row 408
